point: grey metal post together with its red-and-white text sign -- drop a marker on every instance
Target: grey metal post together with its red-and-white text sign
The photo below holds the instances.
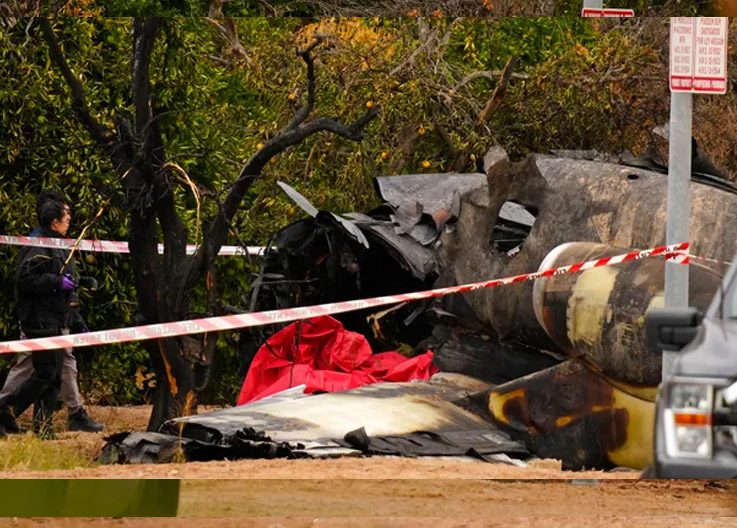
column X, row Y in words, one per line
column 698, row 64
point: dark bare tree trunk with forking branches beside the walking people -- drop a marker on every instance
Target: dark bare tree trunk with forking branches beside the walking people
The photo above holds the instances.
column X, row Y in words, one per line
column 138, row 151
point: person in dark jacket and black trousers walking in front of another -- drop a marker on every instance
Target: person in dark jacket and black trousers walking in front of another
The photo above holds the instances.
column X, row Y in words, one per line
column 44, row 286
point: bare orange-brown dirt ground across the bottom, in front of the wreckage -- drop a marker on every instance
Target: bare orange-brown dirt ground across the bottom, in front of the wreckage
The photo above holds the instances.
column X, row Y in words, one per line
column 384, row 491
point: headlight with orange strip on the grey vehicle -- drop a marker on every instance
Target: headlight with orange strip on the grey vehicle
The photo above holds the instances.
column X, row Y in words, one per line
column 688, row 420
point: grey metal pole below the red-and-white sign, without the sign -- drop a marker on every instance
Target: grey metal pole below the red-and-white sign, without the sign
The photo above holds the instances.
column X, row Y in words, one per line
column 679, row 202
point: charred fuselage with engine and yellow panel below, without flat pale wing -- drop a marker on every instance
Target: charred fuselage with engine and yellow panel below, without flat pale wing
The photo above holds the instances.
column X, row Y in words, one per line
column 573, row 378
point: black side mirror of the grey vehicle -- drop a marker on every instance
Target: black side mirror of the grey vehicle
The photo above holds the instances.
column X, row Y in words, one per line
column 670, row 329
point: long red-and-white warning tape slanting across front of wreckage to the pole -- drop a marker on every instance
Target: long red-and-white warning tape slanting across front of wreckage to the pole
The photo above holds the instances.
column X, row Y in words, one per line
column 675, row 252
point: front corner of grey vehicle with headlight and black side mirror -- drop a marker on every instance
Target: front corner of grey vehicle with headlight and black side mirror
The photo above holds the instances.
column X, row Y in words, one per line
column 696, row 422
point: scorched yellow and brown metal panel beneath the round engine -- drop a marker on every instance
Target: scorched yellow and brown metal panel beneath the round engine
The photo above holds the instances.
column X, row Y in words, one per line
column 608, row 420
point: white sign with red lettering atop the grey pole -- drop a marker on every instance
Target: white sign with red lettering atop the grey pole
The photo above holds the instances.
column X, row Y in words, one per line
column 698, row 54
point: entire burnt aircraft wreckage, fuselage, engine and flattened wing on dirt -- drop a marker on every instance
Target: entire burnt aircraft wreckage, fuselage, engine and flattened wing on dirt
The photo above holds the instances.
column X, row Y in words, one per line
column 555, row 368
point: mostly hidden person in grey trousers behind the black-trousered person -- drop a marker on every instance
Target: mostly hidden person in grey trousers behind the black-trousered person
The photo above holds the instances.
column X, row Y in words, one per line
column 79, row 419
